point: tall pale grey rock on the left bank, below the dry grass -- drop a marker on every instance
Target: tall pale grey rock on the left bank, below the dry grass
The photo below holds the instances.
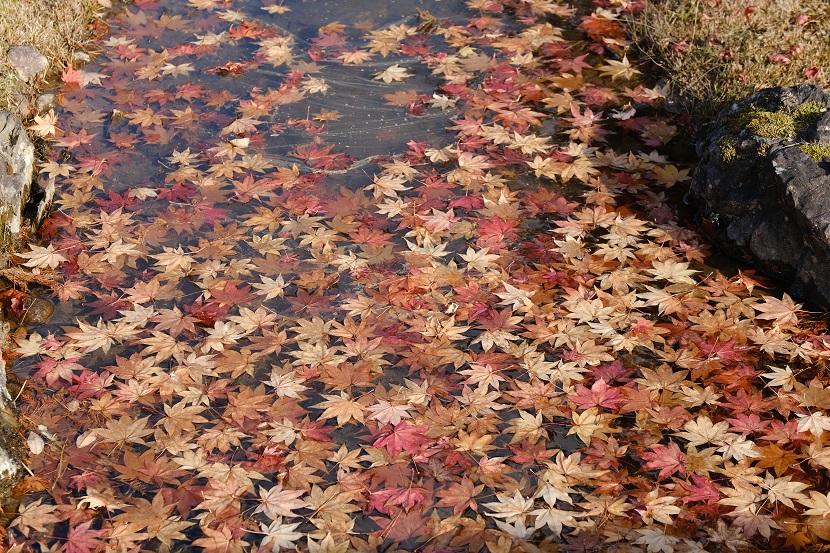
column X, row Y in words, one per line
column 17, row 156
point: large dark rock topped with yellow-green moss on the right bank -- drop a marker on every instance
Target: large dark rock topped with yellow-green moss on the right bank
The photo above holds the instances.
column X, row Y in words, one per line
column 763, row 183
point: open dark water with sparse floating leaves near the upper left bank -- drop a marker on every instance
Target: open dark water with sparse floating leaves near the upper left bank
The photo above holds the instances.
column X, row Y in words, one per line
column 358, row 115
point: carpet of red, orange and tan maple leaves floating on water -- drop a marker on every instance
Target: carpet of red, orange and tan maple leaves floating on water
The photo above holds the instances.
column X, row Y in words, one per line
column 501, row 342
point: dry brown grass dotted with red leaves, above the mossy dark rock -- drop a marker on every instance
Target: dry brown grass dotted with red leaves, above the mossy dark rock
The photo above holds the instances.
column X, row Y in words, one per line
column 715, row 51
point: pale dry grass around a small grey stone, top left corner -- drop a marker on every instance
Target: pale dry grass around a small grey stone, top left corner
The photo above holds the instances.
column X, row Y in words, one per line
column 57, row 28
